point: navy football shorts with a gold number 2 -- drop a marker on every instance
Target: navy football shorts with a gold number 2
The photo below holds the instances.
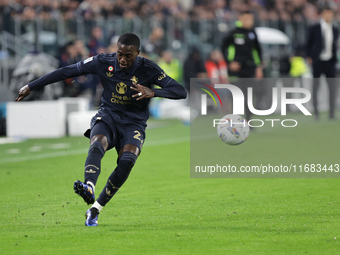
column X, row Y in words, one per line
column 117, row 131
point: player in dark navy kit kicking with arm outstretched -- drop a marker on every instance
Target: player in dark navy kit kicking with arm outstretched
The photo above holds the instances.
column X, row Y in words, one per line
column 120, row 123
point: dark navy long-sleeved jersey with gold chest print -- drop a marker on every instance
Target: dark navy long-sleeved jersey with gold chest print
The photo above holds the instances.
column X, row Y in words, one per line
column 117, row 94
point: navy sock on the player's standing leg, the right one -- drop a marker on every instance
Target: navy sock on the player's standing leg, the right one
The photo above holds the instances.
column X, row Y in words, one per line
column 118, row 177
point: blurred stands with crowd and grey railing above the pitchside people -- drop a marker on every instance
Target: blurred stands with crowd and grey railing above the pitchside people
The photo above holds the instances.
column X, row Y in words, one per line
column 174, row 25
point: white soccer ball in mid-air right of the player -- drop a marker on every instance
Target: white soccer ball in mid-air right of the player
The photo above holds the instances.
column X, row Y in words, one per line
column 233, row 129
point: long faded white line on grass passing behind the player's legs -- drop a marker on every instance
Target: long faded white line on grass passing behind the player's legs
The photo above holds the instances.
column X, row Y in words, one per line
column 82, row 151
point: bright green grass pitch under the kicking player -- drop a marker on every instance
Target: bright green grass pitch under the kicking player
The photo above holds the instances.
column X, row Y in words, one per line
column 160, row 209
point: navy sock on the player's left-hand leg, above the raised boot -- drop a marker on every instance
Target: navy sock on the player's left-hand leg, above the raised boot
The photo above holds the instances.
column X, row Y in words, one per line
column 92, row 163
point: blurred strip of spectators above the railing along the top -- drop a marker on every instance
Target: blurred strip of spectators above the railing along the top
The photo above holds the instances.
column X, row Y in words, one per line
column 271, row 10
